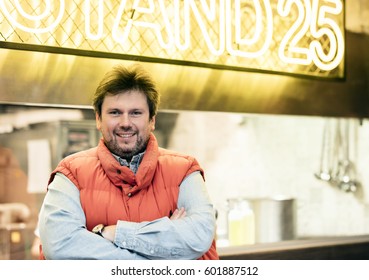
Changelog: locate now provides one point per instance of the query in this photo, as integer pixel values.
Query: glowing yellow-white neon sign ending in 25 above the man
(291, 36)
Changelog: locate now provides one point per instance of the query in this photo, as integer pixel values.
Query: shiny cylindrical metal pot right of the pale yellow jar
(275, 219)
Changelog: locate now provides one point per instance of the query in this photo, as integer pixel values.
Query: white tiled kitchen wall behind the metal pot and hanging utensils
(267, 155)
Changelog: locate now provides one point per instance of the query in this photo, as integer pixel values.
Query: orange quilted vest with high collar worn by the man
(120, 194)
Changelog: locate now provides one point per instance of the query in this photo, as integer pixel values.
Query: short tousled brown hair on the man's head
(121, 79)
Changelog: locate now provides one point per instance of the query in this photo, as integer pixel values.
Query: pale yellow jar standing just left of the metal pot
(241, 222)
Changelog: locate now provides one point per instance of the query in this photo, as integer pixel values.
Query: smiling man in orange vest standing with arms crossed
(127, 198)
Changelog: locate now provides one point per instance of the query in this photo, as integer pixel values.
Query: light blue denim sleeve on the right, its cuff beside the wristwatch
(186, 238)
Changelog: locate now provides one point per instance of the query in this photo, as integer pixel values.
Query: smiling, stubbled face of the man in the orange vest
(125, 123)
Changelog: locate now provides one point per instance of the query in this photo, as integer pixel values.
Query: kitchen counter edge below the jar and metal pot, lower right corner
(310, 248)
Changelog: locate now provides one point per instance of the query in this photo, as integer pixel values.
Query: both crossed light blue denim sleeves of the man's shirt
(63, 233)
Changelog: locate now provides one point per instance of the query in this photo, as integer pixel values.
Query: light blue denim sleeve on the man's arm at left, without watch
(62, 227)
